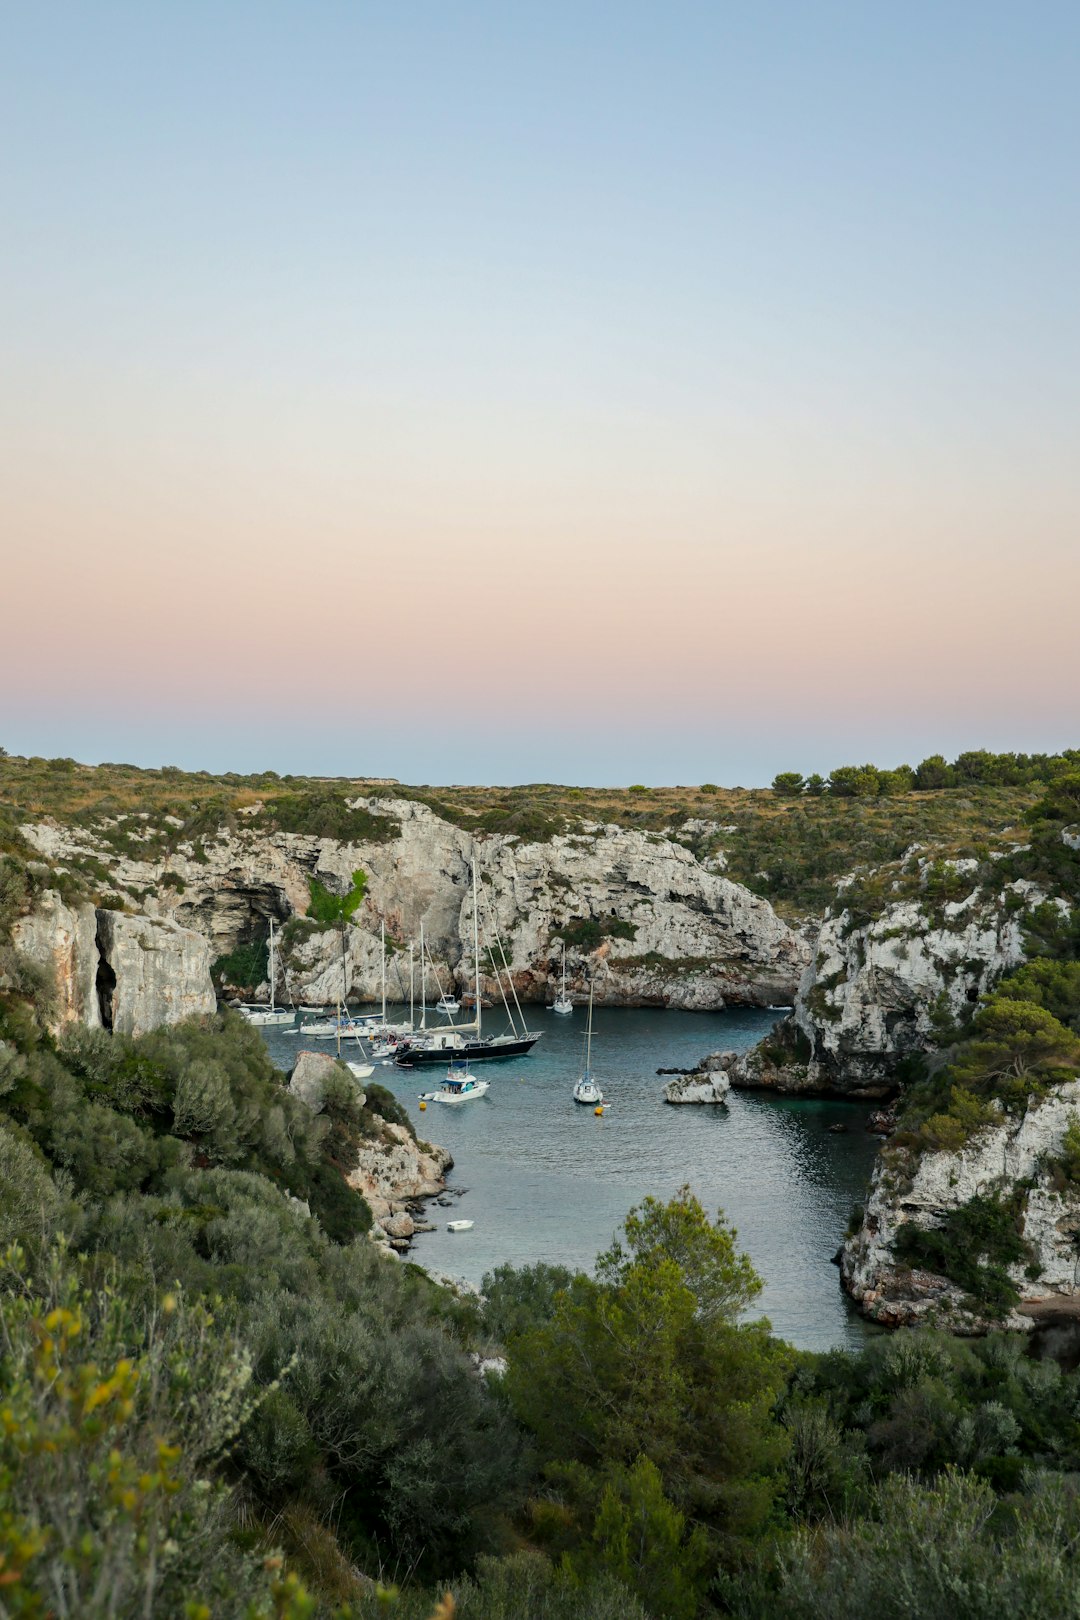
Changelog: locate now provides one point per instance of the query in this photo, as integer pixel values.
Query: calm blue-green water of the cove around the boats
(546, 1180)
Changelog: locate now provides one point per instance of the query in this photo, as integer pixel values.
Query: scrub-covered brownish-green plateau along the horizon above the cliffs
(789, 843)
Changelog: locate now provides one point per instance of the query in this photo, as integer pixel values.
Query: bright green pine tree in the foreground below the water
(650, 1362)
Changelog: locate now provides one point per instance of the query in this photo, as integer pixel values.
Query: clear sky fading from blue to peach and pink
(540, 393)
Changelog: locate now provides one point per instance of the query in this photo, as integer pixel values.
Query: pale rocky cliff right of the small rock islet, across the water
(870, 992)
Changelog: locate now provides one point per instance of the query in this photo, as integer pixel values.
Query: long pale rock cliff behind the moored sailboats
(674, 932)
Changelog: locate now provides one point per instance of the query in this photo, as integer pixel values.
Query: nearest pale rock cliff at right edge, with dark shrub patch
(1005, 1157)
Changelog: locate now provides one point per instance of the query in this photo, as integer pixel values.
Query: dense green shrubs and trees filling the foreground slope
(219, 1407)
